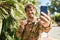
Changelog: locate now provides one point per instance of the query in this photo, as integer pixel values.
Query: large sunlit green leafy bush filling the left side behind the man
(11, 12)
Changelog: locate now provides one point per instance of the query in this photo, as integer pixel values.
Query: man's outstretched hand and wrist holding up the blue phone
(45, 21)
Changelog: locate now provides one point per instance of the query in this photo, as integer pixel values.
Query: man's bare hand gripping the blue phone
(45, 19)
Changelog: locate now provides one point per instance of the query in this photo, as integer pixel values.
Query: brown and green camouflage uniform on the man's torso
(31, 31)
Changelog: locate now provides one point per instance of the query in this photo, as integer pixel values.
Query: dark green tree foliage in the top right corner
(55, 6)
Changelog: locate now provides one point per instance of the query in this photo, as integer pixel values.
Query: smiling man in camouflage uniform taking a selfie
(31, 28)
